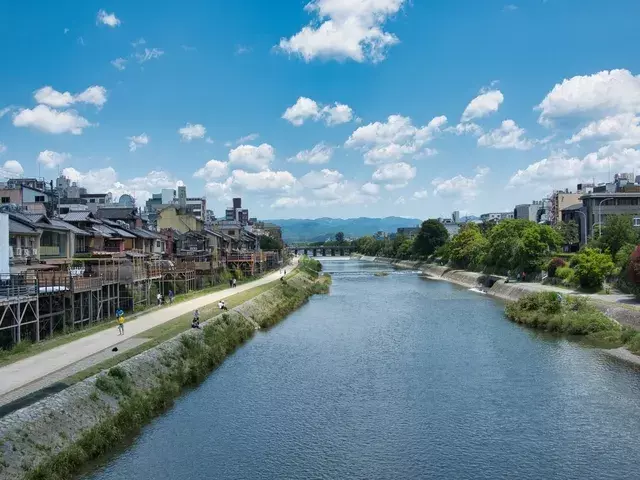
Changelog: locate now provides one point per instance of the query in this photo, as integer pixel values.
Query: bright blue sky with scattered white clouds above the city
(337, 108)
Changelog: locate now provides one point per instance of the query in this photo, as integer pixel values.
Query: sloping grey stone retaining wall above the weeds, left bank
(37, 433)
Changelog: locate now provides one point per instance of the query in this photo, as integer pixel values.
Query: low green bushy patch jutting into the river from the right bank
(570, 315)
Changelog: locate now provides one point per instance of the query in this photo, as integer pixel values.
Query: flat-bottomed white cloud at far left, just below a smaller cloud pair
(51, 121)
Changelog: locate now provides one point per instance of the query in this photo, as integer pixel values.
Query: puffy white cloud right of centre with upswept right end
(397, 137)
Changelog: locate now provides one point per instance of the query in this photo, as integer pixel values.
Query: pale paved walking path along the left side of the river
(31, 369)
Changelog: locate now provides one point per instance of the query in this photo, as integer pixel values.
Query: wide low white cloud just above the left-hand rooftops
(106, 180)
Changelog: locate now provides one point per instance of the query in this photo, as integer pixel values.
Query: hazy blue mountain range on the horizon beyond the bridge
(321, 229)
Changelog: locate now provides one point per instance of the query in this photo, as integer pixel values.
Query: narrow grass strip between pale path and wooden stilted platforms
(27, 349)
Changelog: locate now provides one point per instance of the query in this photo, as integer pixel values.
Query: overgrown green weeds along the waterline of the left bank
(199, 353)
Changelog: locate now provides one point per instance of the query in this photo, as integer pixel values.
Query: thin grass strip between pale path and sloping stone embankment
(168, 330)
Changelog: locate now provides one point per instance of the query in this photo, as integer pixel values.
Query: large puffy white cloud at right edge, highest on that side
(608, 92)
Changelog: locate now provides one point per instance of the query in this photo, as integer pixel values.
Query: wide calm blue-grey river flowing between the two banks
(397, 377)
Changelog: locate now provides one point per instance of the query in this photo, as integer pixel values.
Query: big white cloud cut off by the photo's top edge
(350, 29)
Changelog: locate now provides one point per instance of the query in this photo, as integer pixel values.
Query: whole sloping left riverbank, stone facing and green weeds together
(55, 437)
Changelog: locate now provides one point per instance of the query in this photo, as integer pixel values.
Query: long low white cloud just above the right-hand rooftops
(560, 169)
